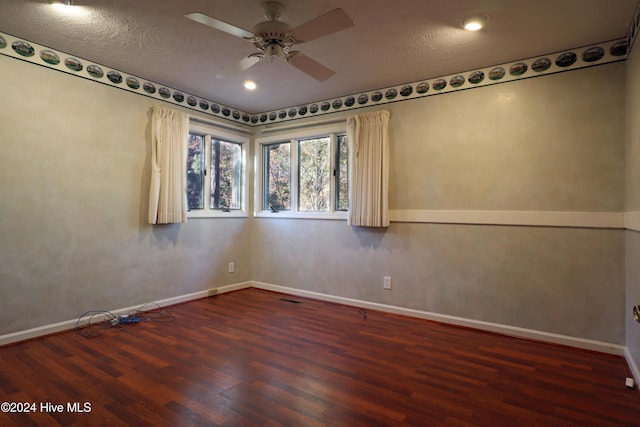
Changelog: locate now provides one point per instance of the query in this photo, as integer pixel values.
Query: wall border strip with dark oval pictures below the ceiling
(588, 56)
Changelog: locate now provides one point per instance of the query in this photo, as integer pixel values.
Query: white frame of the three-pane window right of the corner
(293, 137)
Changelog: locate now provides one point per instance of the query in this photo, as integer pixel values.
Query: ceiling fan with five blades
(275, 39)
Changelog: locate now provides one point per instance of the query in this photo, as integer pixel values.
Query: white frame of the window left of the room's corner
(211, 131)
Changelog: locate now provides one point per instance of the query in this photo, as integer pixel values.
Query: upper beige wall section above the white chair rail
(551, 143)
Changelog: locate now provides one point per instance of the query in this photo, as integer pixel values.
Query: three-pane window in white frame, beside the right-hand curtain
(304, 176)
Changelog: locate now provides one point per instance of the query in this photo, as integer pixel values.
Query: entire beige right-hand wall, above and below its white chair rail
(548, 144)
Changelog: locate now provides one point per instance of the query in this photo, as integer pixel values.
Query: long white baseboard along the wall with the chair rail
(514, 331)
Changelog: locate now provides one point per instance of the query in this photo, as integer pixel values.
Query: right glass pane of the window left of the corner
(226, 165)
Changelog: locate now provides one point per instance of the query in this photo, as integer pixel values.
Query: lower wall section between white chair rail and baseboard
(565, 281)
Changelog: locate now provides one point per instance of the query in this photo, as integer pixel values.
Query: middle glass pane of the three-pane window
(314, 174)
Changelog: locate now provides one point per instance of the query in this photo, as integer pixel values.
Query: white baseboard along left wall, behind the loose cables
(71, 324)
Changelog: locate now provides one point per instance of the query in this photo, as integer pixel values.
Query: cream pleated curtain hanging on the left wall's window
(169, 139)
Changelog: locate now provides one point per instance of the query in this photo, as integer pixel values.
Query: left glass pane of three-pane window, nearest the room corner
(277, 176)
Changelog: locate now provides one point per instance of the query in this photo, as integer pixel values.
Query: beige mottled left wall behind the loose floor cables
(74, 183)
